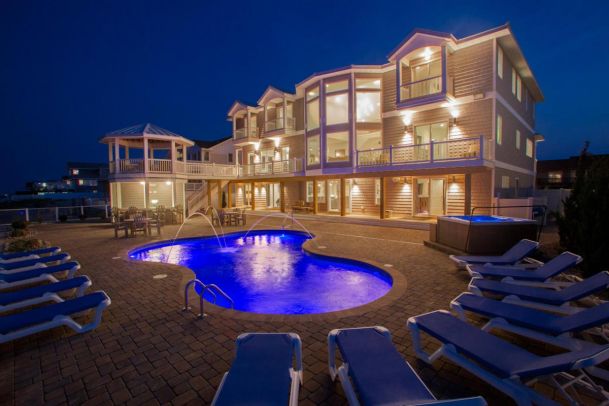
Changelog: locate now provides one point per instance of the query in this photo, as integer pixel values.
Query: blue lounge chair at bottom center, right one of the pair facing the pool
(379, 373)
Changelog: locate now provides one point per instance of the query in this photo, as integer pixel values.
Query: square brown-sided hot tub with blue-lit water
(482, 234)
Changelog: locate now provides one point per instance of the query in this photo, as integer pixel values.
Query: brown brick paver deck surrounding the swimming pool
(147, 351)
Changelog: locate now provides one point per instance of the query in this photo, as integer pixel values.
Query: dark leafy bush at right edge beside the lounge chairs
(584, 224)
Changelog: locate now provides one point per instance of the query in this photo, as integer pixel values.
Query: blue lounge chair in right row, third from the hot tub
(550, 298)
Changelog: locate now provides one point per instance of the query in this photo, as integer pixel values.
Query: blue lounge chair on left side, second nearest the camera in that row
(42, 293)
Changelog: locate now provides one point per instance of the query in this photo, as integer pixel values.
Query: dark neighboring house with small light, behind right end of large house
(560, 173)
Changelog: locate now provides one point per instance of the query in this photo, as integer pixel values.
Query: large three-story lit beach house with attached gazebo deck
(446, 125)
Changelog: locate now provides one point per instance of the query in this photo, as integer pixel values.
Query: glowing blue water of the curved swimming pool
(268, 272)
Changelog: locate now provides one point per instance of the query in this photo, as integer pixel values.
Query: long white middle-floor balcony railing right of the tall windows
(453, 150)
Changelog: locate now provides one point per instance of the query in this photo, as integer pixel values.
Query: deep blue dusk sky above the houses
(71, 71)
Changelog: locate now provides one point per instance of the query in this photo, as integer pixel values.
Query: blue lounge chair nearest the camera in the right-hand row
(503, 365)
